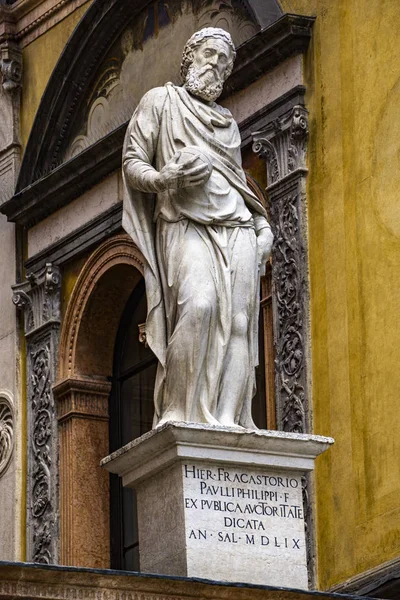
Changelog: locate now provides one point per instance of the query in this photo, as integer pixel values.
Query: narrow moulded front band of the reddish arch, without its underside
(118, 249)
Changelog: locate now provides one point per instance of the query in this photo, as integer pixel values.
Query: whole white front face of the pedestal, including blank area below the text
(251, 520)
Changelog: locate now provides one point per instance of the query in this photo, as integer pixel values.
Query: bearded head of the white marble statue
(207, 62)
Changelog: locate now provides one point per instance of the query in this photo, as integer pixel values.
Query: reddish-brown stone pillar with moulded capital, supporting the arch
(82, 406)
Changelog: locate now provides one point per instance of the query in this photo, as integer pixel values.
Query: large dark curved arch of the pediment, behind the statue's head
(75, 74)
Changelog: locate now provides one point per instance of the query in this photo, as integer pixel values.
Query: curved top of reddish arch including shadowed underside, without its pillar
(97, 300)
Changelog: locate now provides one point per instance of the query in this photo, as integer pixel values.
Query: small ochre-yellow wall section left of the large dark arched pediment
(39, 60)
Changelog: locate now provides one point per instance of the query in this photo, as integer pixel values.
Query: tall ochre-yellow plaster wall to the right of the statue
(352, 73)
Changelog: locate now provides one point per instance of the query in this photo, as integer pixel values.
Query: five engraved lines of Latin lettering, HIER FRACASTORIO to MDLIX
(260, 510)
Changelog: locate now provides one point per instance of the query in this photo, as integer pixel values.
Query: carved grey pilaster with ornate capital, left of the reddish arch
(39, 298)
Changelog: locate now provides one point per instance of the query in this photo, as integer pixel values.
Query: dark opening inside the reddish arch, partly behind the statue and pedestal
(131, 415)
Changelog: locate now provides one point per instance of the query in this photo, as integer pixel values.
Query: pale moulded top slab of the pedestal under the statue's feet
(156, 450)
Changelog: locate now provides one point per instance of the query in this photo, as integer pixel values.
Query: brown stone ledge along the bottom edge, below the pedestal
(21, 581)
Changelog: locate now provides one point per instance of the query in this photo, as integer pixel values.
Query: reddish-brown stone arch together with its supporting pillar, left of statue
(85, 364)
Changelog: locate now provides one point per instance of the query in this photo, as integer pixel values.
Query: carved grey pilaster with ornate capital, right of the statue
(283, 145)
